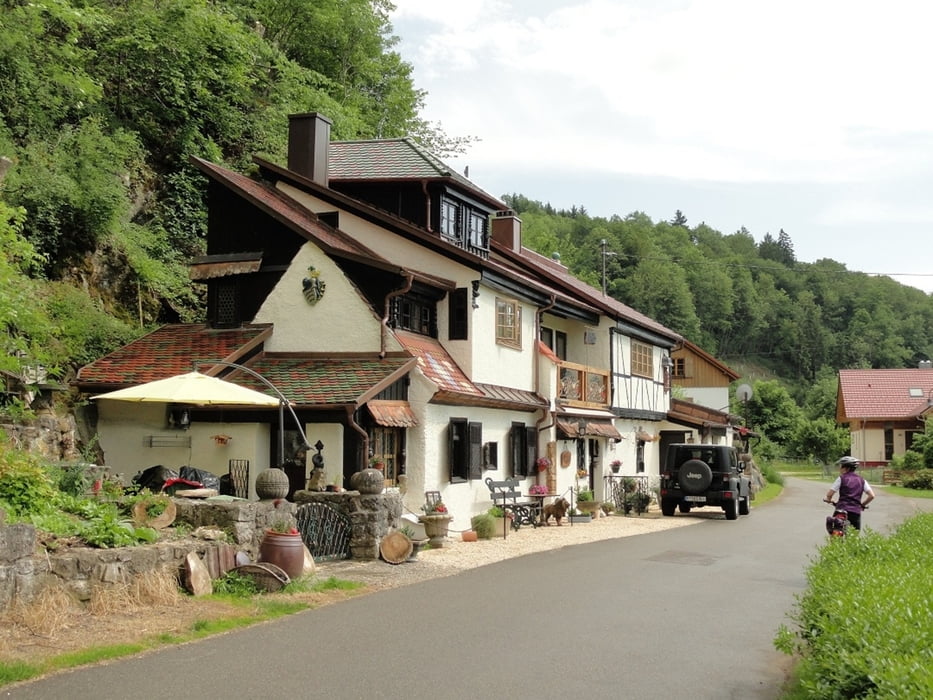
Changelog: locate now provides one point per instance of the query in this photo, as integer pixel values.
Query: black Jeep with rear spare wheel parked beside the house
(704, 475)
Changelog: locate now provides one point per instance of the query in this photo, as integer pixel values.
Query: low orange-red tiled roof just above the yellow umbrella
(168, 351)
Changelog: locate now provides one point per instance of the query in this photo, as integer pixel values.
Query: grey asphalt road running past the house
(685, 612)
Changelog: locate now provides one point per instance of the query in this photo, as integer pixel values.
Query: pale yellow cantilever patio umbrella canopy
(192, 388)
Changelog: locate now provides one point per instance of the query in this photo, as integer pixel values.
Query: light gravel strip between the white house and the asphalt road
(456, 555)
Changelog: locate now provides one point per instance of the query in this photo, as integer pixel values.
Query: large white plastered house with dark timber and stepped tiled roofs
(391, 301)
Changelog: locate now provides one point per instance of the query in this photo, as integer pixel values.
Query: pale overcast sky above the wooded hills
(812, 116)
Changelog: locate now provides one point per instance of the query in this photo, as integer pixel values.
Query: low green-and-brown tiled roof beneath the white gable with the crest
(318, 381)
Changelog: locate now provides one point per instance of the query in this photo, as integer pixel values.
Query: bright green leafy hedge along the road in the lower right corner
(864, 627)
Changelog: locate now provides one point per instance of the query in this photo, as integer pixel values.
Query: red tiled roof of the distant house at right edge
(883, 393)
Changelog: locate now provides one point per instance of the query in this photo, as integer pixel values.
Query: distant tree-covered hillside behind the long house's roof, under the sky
(741, 300)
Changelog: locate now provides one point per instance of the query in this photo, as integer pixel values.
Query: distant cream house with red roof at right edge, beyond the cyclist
(884, 409)
